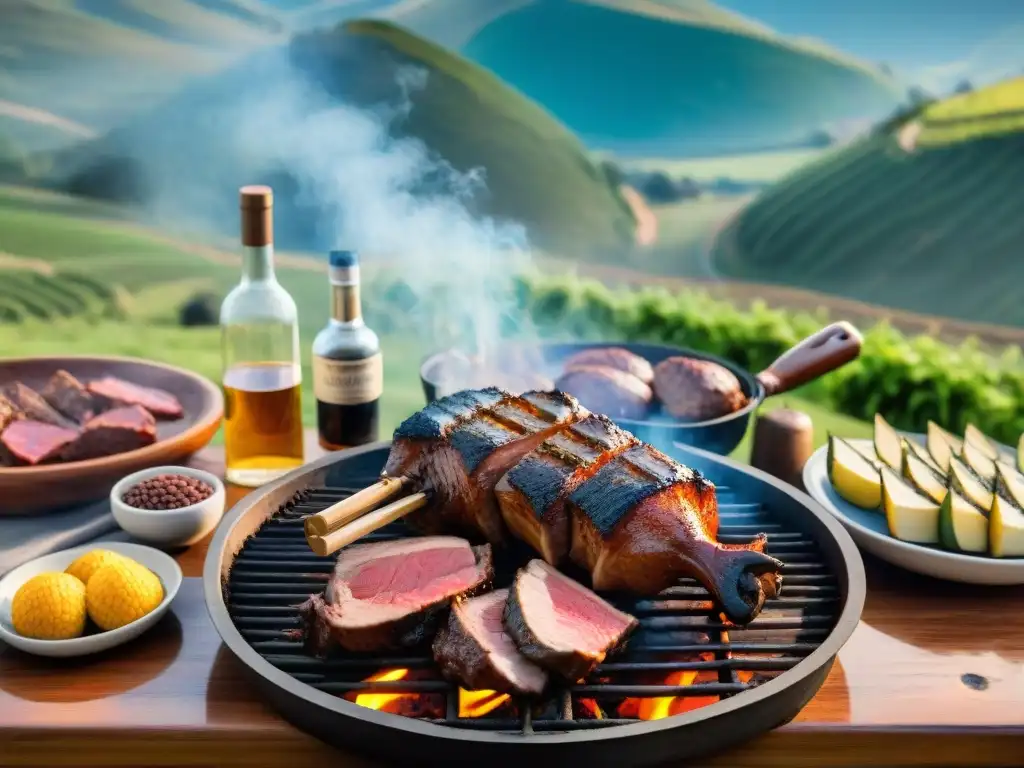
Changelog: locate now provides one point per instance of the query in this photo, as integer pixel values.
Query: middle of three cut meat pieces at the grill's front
(475, 651)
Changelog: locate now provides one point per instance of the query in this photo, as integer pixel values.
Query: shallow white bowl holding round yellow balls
(160, 564)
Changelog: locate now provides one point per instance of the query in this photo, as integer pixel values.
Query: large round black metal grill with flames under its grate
(689, 684)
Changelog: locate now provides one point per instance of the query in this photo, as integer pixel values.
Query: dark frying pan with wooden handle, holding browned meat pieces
(827, 351)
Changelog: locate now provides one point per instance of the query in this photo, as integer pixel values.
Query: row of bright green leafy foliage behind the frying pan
(908, 379)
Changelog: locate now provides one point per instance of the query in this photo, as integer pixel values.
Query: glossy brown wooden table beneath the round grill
(933, 676)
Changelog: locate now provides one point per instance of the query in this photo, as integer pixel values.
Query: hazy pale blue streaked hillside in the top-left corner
(99, 61)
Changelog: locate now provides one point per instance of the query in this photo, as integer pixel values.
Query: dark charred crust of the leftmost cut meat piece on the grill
(413, 630)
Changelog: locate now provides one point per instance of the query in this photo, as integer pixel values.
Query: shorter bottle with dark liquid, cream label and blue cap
(349, 367)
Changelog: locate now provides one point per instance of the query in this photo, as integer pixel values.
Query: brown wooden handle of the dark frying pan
(830, 349)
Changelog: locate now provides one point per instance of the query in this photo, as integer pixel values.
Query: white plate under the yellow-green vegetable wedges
(870, 531)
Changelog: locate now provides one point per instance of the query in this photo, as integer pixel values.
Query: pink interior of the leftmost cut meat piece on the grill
(414, 578)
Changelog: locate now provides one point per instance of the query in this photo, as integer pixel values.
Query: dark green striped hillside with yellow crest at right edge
(925, 217)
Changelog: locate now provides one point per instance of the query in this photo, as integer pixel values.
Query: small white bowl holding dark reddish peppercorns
(169, 528)
